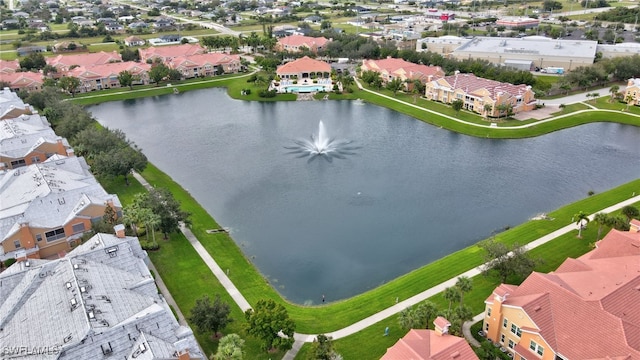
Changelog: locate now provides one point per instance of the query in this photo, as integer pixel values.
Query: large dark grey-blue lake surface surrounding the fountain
(410, 194)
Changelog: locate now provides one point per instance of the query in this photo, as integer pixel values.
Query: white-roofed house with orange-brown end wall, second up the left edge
(29, 139)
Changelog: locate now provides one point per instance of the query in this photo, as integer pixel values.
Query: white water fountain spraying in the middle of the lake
(322, 146)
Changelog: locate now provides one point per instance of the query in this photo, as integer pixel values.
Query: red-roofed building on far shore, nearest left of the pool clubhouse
(208, 64)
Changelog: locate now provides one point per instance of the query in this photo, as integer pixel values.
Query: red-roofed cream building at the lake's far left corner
(105, 76)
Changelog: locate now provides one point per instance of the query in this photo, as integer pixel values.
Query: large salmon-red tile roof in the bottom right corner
(588, 308)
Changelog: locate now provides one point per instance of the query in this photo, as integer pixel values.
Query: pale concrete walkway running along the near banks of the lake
(300, 339)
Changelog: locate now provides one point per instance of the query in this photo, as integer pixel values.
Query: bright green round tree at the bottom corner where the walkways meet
(268, 321)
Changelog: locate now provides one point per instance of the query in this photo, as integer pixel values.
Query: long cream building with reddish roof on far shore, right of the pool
(484, 96)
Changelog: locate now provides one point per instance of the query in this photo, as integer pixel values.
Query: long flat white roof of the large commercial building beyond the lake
(531, 45)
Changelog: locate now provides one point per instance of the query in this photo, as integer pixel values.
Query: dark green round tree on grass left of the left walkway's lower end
(210, 316)
